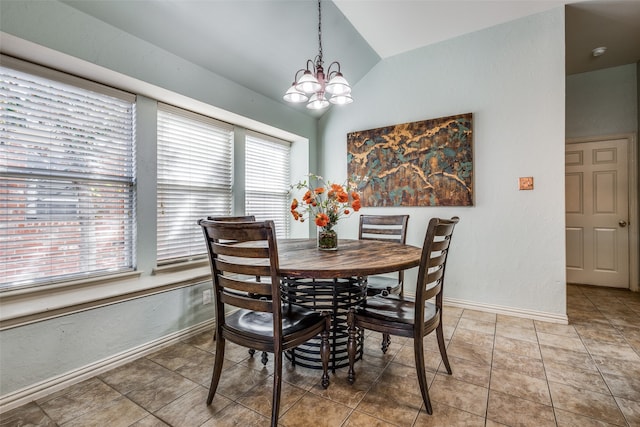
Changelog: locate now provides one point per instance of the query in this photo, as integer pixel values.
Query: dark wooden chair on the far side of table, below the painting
(389, 228)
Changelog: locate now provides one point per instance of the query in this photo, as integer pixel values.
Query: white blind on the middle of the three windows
(195, 159)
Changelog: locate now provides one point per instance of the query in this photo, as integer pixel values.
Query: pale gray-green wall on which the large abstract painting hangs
(508, 251)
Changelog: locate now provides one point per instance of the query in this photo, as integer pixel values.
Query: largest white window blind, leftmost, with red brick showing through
(67, 177)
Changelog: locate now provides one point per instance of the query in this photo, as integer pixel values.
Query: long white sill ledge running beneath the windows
(24, 306)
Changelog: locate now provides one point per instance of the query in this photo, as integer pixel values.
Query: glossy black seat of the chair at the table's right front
(394, 308)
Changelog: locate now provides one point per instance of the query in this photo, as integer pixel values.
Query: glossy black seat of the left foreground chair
(294, 319)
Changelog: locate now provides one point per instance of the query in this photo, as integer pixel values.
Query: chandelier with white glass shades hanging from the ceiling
(313, 85)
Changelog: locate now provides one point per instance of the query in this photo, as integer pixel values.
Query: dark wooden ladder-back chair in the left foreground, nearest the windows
(238, 252)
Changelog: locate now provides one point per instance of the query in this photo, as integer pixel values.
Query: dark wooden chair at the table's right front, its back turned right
(410, 317)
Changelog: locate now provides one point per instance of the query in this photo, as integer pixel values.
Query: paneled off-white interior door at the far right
(597, 213)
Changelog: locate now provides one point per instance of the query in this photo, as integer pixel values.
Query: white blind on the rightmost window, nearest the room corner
(267, 180)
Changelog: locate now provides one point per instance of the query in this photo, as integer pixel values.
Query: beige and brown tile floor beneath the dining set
(506, 371)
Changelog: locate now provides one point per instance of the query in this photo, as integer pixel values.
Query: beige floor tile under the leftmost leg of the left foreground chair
(191, 409)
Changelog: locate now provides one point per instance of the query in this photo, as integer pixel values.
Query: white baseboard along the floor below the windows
(51, 385)
